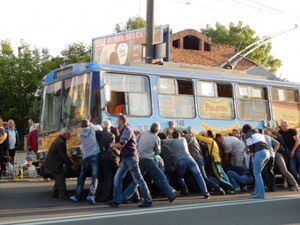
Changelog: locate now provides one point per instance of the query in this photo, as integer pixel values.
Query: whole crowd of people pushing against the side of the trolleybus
(175, 161)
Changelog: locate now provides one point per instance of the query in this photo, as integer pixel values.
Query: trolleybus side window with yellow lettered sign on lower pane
(215, 100)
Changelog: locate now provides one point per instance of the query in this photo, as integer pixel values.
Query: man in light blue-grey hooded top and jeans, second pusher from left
(90, 154)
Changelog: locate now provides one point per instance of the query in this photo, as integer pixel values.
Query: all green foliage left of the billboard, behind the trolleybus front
(21, 76)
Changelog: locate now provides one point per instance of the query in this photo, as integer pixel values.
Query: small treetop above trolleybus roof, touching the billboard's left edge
(76, 53)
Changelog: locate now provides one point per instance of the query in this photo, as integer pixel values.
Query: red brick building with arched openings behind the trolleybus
(193, 47)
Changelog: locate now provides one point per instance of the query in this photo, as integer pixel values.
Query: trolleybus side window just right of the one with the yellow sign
(252, 103)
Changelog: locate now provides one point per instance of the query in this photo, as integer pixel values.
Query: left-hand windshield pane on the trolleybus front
(51, 107)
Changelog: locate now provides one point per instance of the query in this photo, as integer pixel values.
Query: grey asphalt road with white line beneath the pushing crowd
(29, 202)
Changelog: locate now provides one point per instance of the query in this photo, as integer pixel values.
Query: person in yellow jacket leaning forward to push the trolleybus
(215, 167)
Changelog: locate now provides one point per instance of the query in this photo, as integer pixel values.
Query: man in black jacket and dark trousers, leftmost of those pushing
(56, 157)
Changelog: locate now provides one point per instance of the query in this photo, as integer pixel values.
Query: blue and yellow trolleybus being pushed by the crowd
(202, 97)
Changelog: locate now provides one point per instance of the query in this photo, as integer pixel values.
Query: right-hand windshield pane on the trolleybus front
(75, 99)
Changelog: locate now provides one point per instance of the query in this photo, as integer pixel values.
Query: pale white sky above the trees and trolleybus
(54, 24)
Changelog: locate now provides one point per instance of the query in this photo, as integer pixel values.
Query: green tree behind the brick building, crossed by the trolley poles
(242, 36)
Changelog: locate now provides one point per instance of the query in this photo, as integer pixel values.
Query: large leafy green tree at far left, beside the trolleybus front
(20, 77)
